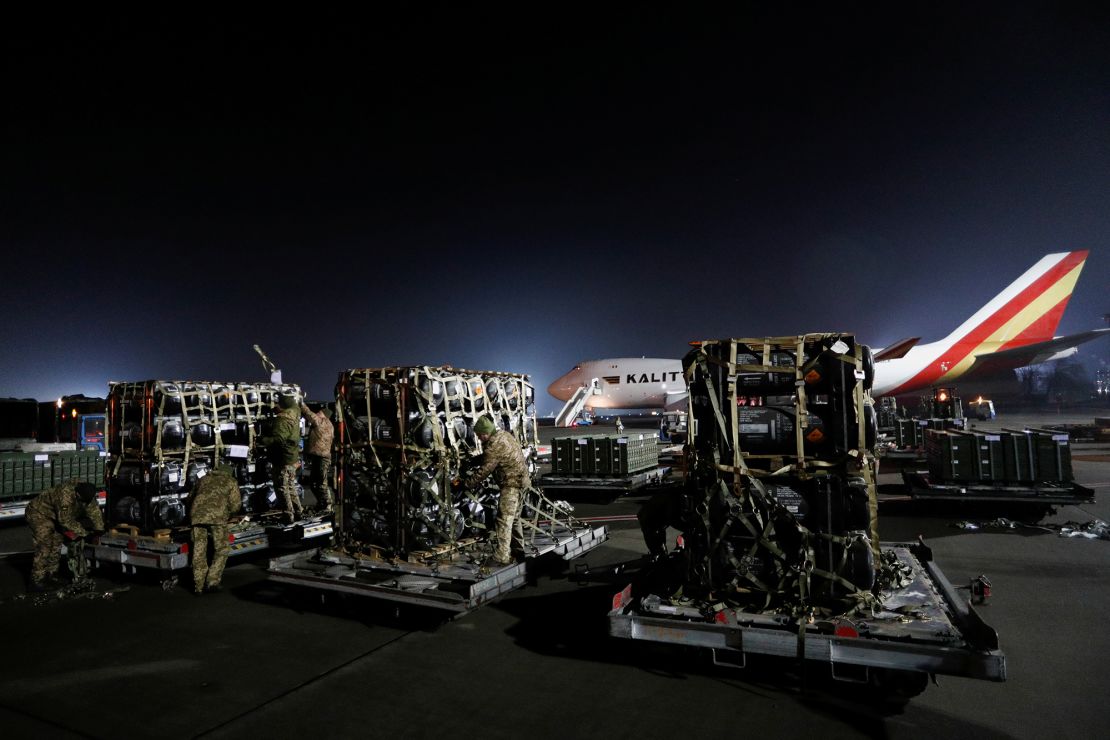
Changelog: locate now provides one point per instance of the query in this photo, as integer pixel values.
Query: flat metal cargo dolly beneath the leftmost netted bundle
(162, 553)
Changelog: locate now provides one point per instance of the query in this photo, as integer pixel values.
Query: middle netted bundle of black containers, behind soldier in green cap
(406, 443)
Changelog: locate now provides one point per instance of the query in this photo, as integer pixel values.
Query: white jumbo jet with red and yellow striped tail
(1014, 330)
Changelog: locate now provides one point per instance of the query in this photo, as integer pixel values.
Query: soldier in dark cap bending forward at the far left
(59, 515)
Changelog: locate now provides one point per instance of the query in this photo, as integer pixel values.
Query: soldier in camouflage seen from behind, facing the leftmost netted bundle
(216, 500)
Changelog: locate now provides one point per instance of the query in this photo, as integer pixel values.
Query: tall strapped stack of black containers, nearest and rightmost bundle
(779, 510)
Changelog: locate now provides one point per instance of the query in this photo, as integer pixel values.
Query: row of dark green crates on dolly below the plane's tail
(1008, 457)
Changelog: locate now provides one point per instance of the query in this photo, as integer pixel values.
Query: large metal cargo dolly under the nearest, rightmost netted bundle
(945, 635)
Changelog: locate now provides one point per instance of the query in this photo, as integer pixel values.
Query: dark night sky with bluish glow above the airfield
(501, 188)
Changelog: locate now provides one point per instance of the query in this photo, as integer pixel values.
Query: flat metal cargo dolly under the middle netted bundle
(449, 580)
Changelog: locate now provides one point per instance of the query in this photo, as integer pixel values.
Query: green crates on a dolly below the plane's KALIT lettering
(604, 455)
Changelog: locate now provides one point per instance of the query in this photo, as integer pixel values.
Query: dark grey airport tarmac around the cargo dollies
(261, 660)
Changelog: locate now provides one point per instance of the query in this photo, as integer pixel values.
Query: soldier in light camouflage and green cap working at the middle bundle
(506, 460)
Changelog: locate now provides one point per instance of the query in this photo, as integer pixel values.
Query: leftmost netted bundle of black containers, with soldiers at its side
(166, 435)
